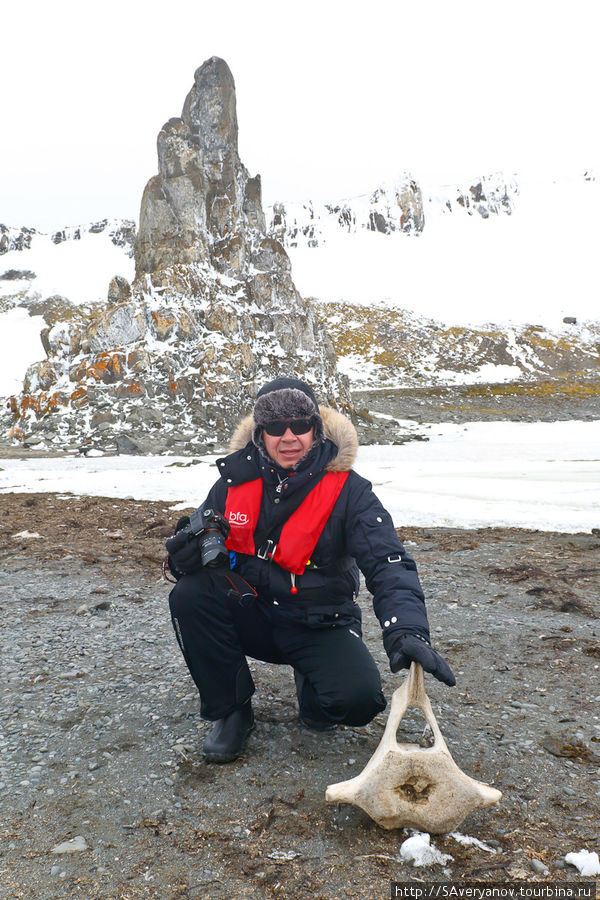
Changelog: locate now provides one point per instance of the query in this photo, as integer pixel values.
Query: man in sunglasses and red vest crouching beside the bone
(289, 526)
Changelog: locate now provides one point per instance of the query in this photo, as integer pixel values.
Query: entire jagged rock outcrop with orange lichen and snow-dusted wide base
(173, 358)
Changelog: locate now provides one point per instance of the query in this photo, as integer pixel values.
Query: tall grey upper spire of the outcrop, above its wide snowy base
(202, 204)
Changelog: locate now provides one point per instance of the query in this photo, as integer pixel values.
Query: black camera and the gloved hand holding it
(200, 542)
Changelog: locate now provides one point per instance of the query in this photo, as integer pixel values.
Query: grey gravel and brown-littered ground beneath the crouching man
(100, 734)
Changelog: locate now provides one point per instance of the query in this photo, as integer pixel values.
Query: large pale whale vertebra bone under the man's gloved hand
(412, 786)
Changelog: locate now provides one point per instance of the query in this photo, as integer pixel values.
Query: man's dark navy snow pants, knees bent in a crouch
(219, 621)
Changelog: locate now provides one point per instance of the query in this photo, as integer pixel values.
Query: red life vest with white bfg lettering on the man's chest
(300, 533)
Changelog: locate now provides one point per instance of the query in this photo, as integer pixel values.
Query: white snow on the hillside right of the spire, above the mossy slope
(527, 255)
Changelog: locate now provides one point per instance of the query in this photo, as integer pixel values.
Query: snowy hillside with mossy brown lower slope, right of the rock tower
(500, 282)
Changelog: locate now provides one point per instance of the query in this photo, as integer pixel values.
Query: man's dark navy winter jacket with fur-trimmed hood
(359, 534)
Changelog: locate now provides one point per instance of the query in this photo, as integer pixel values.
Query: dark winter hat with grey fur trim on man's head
(285, 398)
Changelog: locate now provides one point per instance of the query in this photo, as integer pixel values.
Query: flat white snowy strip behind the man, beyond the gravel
(542, 475)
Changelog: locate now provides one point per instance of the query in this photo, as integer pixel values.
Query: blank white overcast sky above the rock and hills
(333, 97)
